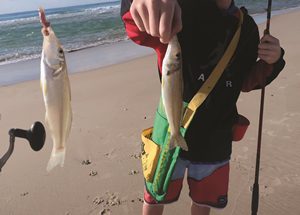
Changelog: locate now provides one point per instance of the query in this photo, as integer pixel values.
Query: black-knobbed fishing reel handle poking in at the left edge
(36, 136)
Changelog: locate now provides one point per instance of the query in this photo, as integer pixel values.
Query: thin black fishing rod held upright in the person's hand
(255, 192)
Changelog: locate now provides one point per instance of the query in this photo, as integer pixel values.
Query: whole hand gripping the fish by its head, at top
(160, 18)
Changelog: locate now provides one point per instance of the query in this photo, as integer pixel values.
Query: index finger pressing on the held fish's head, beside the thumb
(165, 25)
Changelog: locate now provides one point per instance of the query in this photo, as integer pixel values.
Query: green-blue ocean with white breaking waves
(80, 27)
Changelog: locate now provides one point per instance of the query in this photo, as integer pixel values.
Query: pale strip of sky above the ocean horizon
(11, 6)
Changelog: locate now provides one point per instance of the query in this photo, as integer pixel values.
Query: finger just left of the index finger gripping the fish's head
(154, 19)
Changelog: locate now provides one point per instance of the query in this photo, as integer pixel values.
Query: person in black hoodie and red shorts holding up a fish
(204, 30)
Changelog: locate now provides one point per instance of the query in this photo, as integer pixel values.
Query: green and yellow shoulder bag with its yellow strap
(158, 161)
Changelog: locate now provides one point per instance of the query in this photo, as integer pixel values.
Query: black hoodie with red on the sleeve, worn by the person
(206, 33)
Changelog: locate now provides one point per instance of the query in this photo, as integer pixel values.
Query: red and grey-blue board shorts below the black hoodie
(208, 184)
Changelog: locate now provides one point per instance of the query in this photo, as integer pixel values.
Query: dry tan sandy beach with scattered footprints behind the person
(111, 105)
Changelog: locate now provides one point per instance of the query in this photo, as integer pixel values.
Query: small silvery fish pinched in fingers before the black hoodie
(172, 92)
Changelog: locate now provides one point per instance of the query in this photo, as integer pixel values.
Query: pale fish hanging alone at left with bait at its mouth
(56, 91)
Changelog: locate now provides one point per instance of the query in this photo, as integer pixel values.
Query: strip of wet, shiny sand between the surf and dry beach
(83, 58)
